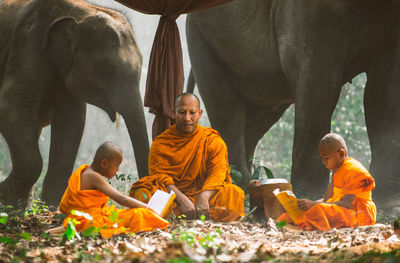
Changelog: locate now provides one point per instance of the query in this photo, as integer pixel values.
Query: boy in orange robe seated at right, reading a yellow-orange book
(348, 201)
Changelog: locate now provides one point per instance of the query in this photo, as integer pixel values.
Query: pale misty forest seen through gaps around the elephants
(273, 151)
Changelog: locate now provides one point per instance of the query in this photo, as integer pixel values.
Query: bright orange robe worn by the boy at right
(350, 179)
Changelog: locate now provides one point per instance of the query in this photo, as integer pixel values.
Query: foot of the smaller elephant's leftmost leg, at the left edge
(11, 193)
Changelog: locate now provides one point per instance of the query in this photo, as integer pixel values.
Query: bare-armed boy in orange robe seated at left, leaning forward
(88, 191)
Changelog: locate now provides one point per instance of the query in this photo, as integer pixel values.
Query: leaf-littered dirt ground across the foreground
(199, 241)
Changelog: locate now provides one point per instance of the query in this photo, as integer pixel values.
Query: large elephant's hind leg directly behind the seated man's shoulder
(217, 85)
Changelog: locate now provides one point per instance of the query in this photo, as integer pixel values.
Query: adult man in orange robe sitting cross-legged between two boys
(192, 161)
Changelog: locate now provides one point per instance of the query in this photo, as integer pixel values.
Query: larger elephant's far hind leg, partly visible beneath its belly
(258, 122)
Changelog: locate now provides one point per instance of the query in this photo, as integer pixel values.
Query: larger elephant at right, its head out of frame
(252, 59)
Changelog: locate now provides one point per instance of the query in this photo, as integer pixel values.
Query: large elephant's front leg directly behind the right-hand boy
(313, 113)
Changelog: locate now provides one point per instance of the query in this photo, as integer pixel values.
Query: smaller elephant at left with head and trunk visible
(55, 57)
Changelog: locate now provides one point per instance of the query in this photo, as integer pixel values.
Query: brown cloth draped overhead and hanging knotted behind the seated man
(165, 73)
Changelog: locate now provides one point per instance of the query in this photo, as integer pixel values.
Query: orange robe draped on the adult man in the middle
(193, 163)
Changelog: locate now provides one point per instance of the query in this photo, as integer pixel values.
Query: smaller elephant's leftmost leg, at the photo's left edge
(27, 163)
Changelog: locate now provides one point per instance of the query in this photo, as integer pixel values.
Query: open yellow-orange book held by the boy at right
(289, 202)
